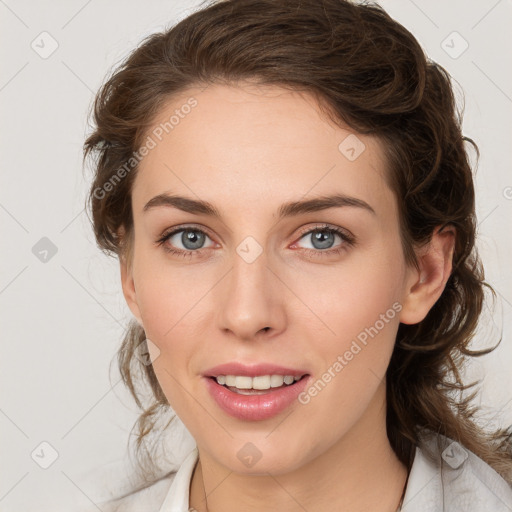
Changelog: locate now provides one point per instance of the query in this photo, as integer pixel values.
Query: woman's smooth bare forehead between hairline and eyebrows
(243, 143)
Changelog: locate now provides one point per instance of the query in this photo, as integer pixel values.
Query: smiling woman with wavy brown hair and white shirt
(287, 189)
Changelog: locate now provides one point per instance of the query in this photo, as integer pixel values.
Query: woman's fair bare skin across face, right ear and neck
(247, 149)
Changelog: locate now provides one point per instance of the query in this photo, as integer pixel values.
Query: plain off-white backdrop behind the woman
(61, 307)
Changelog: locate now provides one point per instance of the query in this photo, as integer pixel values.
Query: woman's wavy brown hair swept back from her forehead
(367, 71)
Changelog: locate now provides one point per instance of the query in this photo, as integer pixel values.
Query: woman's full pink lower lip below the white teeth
(255, 407)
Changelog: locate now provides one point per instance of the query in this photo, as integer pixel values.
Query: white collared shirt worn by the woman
(456, 480)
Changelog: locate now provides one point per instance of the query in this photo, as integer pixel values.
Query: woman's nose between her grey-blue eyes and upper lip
(250, 300)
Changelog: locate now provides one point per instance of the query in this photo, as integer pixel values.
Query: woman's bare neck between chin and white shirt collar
(360, 472)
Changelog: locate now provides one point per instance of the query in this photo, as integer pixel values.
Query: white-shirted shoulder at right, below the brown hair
(447, 476)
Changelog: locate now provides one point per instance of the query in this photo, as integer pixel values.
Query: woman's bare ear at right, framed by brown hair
(425, 286)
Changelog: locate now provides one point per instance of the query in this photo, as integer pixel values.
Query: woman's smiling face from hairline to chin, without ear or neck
(260, 286)
